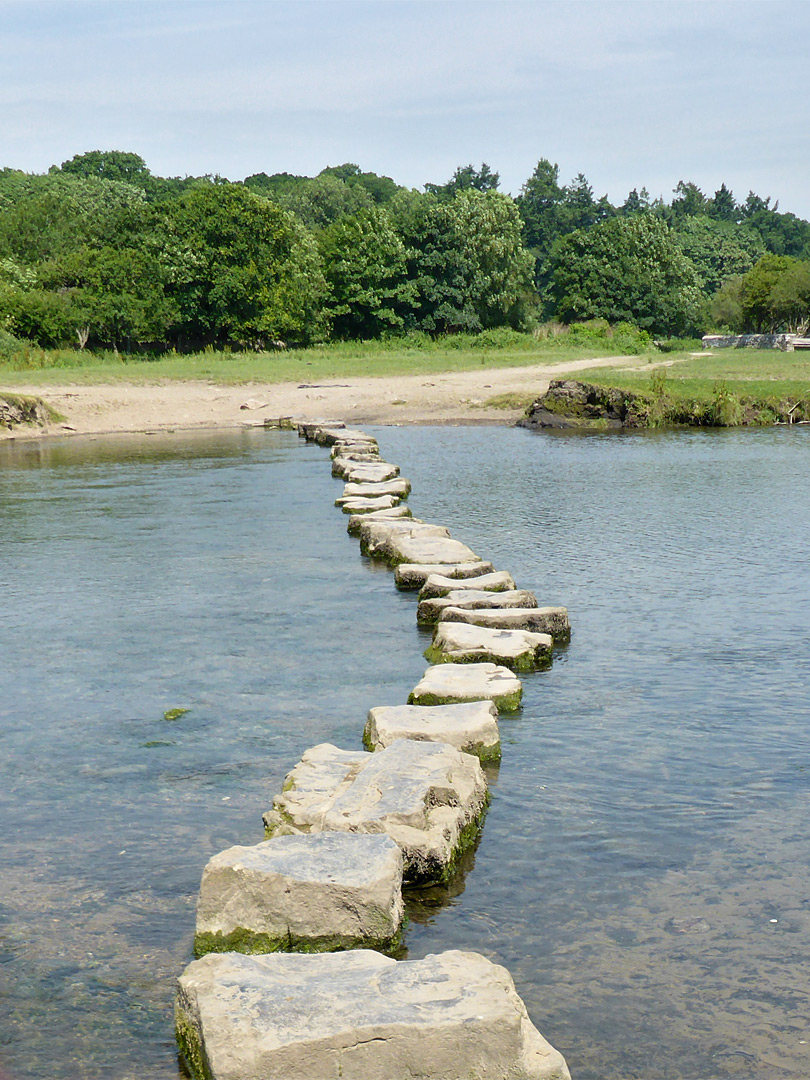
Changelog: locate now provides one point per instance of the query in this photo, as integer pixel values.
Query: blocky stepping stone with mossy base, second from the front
(303, 894)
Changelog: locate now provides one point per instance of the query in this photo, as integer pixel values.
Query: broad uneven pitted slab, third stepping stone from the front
(429, 798)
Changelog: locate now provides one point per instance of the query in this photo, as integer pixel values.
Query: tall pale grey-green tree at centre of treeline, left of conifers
(469, 266)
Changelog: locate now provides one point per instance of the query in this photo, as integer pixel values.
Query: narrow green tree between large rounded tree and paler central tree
(366, 266)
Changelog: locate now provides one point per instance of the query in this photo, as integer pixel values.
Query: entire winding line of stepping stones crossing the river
(296, 937)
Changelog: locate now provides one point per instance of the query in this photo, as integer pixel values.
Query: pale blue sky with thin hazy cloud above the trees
(631, 93)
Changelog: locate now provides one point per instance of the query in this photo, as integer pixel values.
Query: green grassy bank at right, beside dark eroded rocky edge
(730, 387)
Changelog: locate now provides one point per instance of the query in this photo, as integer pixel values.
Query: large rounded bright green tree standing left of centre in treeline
(240, 268)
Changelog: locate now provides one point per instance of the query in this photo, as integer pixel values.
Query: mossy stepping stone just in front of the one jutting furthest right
(463, 644)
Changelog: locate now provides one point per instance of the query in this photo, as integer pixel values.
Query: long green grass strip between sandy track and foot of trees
(330, 362)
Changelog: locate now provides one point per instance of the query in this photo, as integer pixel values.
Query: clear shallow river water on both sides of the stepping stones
(650, 818)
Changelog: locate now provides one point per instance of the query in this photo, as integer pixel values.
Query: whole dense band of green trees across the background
(101, 253)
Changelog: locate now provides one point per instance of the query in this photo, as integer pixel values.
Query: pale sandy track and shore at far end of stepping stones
(452, 398)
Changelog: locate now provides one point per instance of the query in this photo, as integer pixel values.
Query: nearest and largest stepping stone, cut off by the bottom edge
(358, 1016)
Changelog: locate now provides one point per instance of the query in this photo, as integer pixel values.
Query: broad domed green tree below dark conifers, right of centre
(627, 269)
